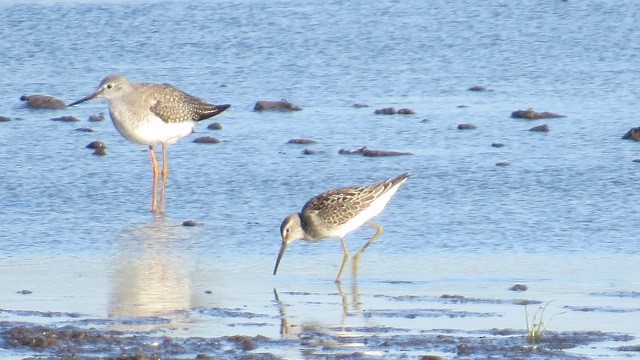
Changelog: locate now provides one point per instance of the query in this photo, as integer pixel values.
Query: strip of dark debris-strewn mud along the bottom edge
(72, 342)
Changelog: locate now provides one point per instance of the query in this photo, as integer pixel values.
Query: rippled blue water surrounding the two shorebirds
(562, 216)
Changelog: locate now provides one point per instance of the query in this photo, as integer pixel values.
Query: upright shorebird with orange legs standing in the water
(152, 114)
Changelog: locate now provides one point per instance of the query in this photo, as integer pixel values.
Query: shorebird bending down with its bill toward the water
(338, 212)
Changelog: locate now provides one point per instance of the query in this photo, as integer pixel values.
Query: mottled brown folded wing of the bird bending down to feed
(336, 207)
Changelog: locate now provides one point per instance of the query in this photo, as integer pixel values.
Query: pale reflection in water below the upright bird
(151, 286)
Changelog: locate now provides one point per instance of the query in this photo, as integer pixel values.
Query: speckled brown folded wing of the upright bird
(173, 105)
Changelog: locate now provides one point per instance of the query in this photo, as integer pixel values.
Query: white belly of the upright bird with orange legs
(151, 130)
